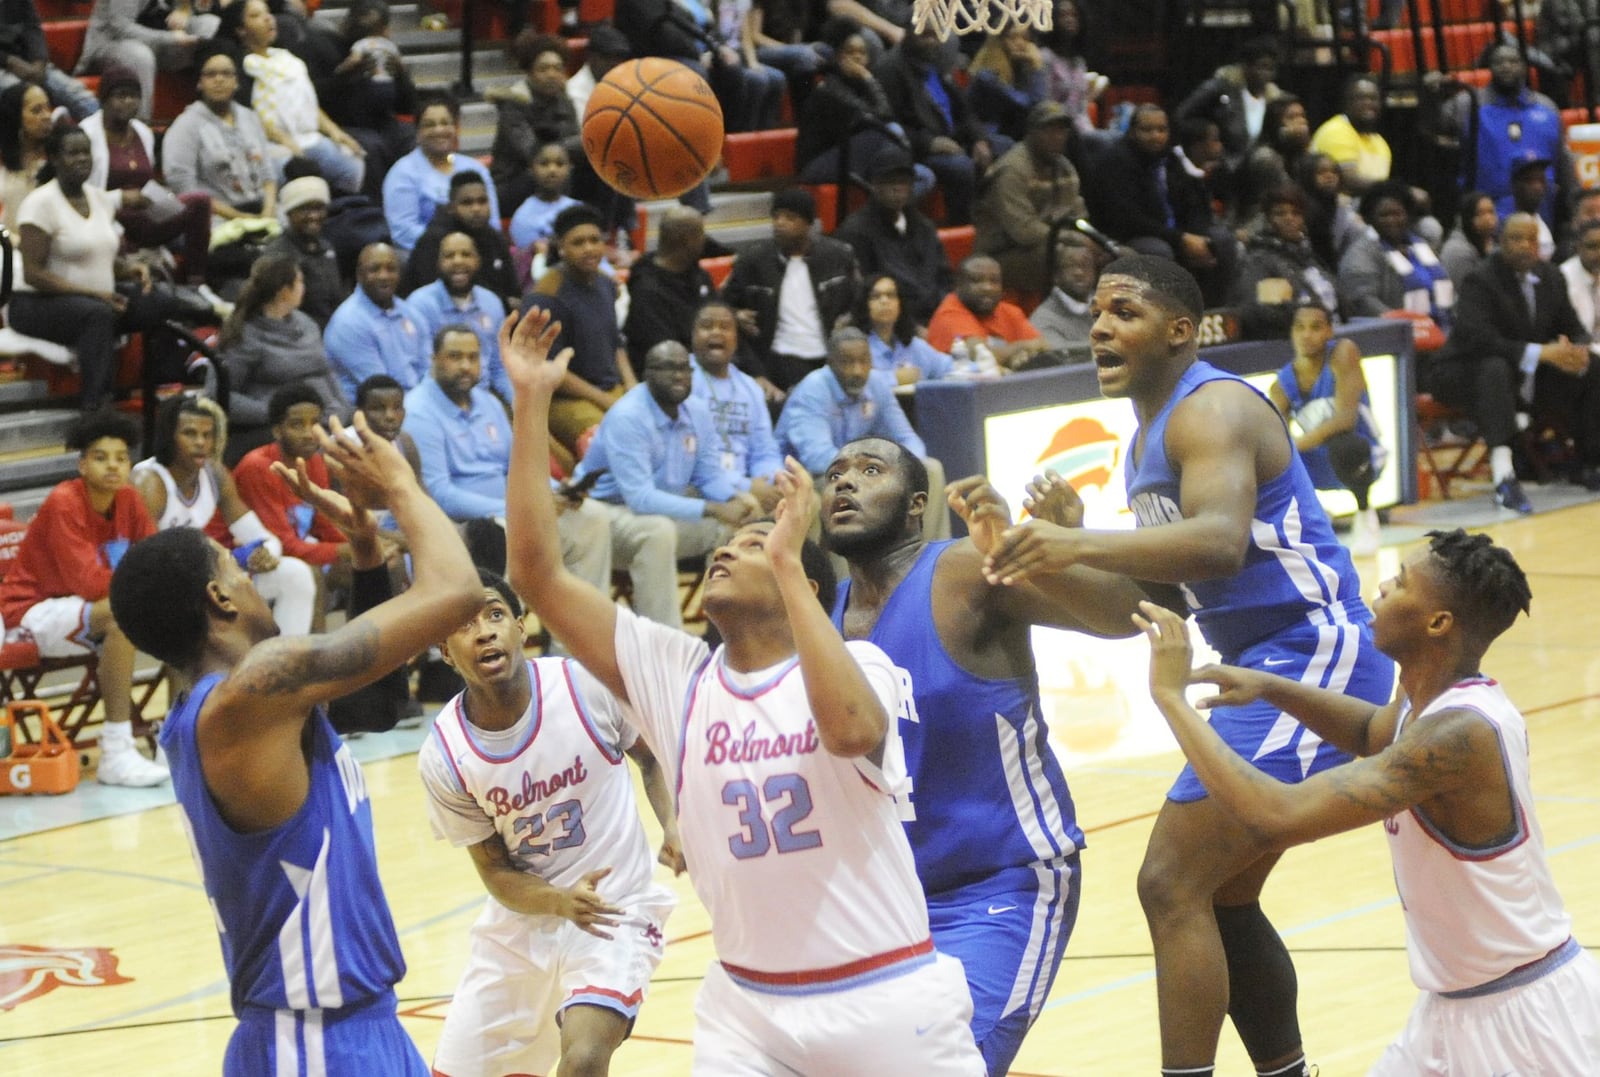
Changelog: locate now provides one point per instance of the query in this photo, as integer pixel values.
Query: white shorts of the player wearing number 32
(916, 1025)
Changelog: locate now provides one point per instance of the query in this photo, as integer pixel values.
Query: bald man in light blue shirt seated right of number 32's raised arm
(657, 449)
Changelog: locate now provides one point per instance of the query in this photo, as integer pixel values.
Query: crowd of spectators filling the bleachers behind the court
(362, 255)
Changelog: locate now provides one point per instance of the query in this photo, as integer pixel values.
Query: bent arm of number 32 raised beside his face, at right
(850, 718)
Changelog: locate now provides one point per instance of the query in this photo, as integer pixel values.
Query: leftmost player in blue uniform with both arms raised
(273, 801)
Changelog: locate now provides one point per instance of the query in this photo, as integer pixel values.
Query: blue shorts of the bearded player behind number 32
(1010, 935)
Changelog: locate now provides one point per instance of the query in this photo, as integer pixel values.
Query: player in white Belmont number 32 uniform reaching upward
(785, 755)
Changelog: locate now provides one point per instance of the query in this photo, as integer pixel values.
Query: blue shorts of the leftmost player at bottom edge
(353, 1043)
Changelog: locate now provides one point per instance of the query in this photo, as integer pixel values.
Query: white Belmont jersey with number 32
(798, 855)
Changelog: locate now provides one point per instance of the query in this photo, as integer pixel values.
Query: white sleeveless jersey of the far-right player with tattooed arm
(1476, 915)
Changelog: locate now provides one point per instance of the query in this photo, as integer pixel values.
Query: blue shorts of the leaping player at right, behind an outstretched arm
(1335, 657)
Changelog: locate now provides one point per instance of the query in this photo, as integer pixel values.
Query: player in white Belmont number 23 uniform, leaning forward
(526, 767)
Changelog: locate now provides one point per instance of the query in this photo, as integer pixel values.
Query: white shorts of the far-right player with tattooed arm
(1546, 1028)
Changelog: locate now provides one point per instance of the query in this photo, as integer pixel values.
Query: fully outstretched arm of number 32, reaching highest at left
(578, 615)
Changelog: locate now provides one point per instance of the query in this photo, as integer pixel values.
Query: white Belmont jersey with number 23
(556, 787)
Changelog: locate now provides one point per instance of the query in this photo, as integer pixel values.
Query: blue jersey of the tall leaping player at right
(1295, 569)
